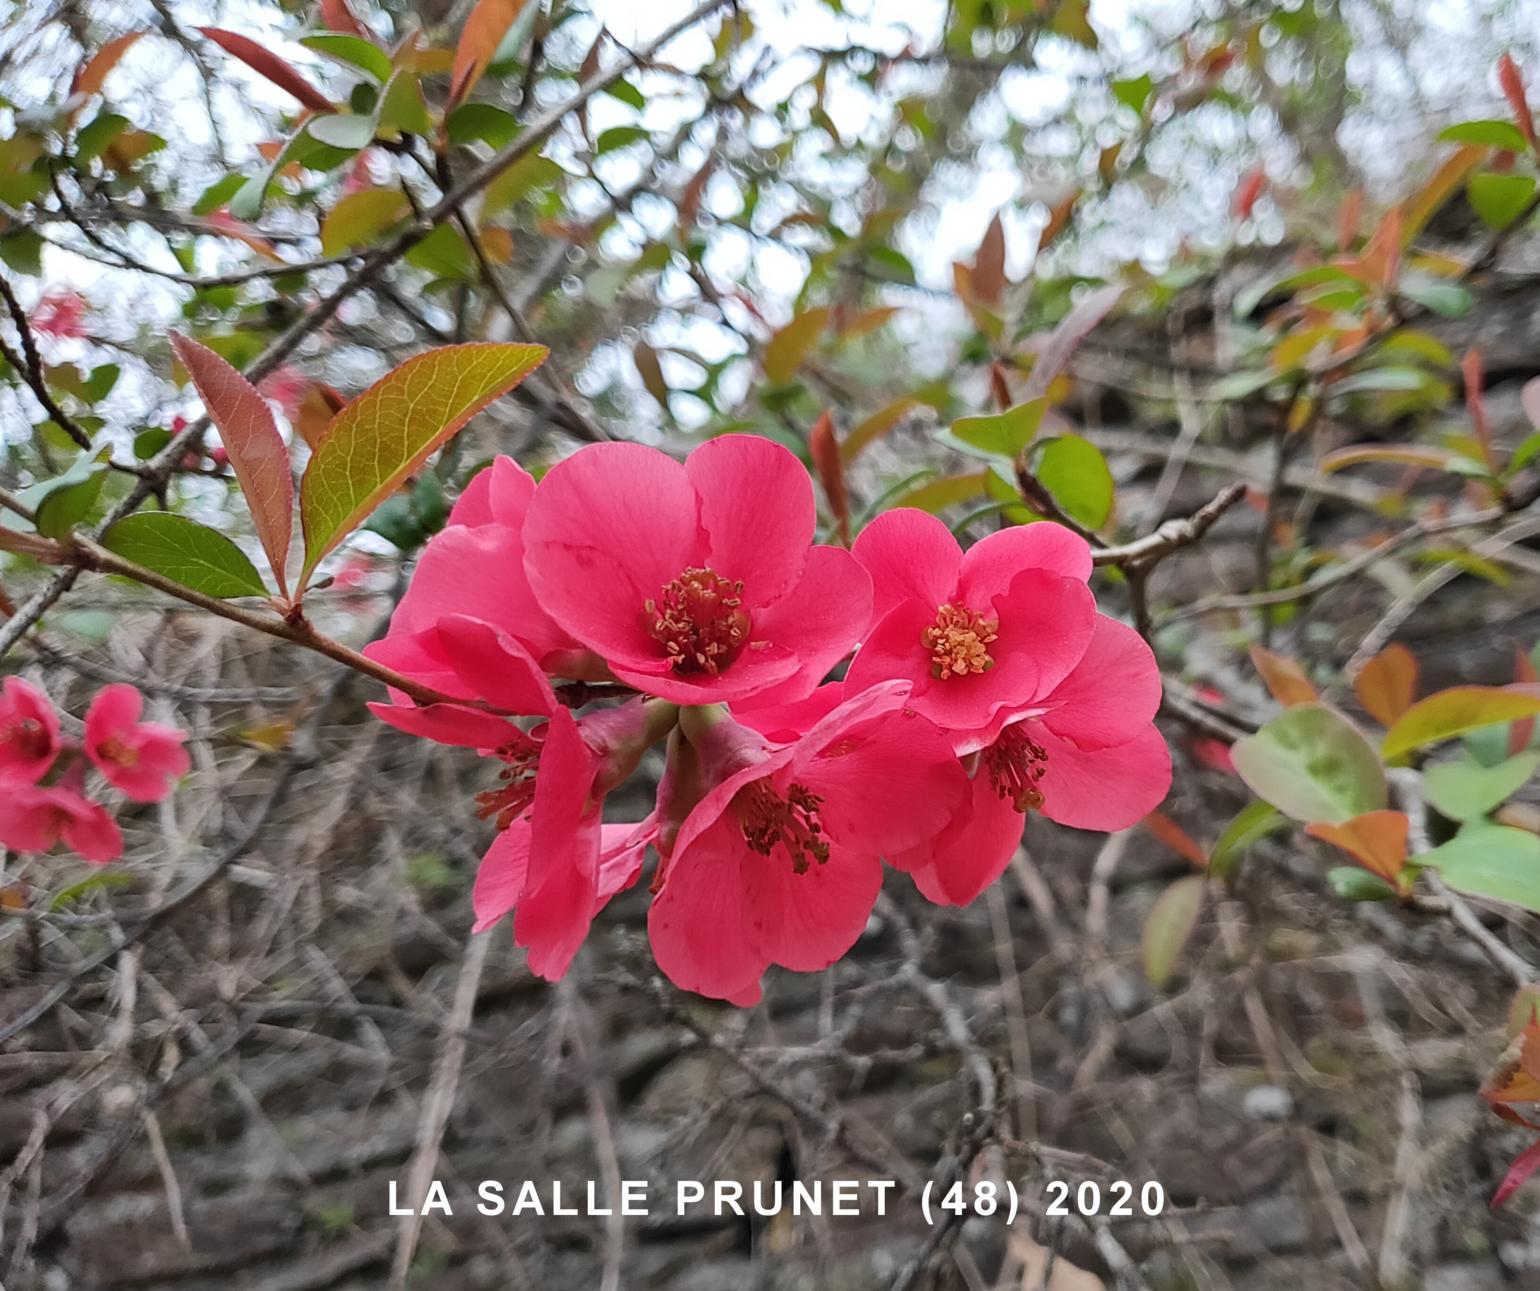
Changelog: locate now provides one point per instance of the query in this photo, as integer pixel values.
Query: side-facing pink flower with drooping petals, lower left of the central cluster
(554, 863)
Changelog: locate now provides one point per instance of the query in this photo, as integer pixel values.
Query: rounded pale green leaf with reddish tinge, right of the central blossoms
(1313, 765)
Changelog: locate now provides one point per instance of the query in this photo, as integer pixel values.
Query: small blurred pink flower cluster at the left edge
(141, 760)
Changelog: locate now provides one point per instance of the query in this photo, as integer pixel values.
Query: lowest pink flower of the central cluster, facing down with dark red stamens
(780, 859)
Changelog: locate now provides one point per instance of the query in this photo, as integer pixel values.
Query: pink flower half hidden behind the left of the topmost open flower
(475, 568)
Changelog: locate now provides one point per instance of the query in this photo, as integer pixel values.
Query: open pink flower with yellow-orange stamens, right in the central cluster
(982, 634)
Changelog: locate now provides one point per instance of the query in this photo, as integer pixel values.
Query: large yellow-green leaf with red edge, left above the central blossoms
(390, 431)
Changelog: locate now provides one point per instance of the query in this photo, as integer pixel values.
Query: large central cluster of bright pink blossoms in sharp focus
(983, 686)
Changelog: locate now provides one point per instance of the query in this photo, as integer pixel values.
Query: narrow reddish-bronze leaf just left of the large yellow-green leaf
(253, 443)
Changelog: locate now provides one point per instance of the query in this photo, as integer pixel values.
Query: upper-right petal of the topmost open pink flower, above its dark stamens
(757, 511)
